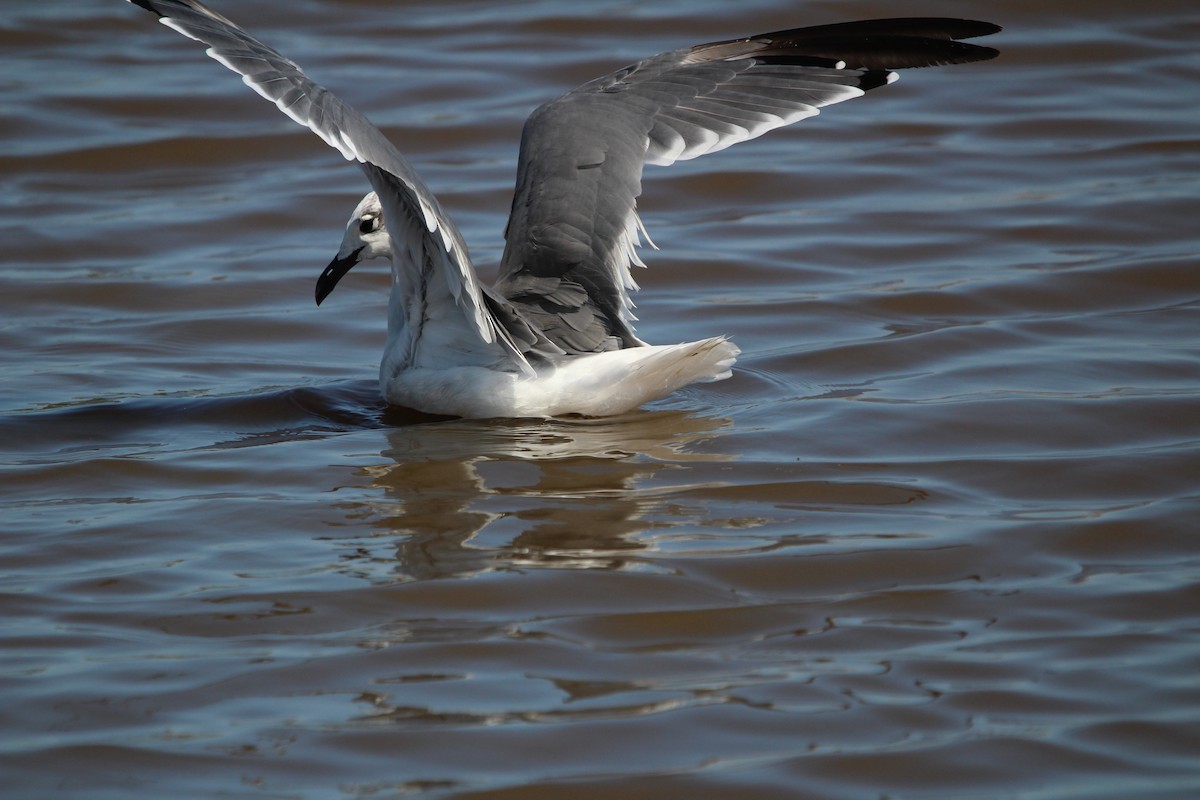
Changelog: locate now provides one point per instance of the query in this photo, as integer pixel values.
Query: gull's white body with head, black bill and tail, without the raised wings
(436, 362)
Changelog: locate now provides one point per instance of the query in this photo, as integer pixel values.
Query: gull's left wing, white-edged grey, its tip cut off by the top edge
(409, 204)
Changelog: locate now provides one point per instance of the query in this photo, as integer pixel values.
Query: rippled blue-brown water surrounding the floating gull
(935, 539)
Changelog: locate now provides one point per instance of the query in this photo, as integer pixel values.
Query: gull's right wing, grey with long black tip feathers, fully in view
(574, 225)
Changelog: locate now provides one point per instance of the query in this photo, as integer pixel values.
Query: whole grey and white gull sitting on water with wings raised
(555, 334)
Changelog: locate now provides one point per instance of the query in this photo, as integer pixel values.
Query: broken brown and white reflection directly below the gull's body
(559, 494)
